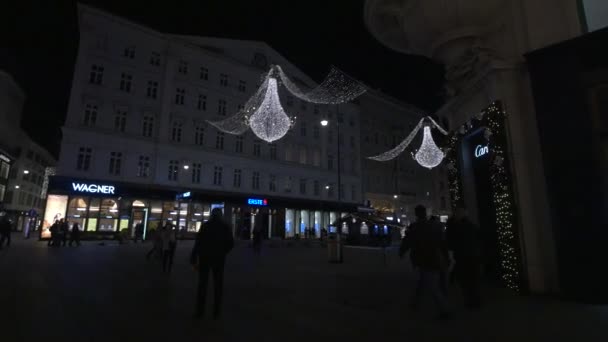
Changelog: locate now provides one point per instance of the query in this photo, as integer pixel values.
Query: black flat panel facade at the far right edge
(570, 86)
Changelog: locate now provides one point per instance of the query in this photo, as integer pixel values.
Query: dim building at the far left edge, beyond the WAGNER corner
(23, 162)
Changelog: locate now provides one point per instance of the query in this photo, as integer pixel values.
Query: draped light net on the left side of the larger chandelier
(239, 122)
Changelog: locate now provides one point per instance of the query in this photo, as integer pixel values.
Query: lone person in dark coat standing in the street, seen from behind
(213, 242)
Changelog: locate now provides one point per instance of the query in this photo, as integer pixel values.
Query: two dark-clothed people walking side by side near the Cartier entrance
(429, 245)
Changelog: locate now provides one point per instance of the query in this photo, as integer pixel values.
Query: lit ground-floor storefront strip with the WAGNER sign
(103, 208)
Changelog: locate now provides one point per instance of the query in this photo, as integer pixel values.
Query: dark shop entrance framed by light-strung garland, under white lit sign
(478, 163)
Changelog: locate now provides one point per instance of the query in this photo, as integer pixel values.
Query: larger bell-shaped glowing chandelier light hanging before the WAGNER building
(269, 122)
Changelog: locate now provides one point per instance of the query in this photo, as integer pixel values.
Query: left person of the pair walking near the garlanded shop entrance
(428, 252)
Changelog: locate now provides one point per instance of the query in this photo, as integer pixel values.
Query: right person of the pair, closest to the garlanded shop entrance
(465, 241)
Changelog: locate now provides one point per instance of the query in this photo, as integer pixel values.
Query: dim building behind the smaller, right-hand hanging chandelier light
(396, 187)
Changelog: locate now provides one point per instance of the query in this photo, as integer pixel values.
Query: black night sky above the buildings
(40, 46)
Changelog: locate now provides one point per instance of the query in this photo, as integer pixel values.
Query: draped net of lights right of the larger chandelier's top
(336, 88)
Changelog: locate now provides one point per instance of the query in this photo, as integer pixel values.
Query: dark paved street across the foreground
(110, 293)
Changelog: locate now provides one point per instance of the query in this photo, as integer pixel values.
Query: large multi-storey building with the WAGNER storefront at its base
(137, 119)
